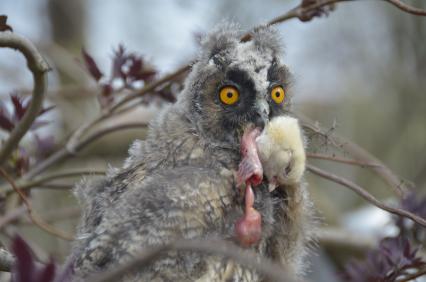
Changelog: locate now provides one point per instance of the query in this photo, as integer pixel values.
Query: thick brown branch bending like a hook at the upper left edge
(38, 66)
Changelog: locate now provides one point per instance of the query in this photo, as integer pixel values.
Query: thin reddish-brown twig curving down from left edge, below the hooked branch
(32, 214)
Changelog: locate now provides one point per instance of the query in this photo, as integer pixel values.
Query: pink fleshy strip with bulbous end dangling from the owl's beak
(248, 228)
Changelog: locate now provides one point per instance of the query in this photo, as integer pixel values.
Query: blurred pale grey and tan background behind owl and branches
(361, 72)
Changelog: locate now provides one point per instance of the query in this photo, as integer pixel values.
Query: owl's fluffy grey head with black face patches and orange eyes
(234, 84)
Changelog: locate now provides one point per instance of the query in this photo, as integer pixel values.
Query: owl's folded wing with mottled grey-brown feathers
(183, 202)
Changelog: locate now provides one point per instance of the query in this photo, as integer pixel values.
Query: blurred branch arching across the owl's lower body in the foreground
(248, 259)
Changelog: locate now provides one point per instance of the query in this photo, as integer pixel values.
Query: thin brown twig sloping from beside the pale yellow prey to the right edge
(367, 196)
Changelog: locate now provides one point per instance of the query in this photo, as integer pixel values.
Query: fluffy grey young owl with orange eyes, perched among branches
(182, 180)
